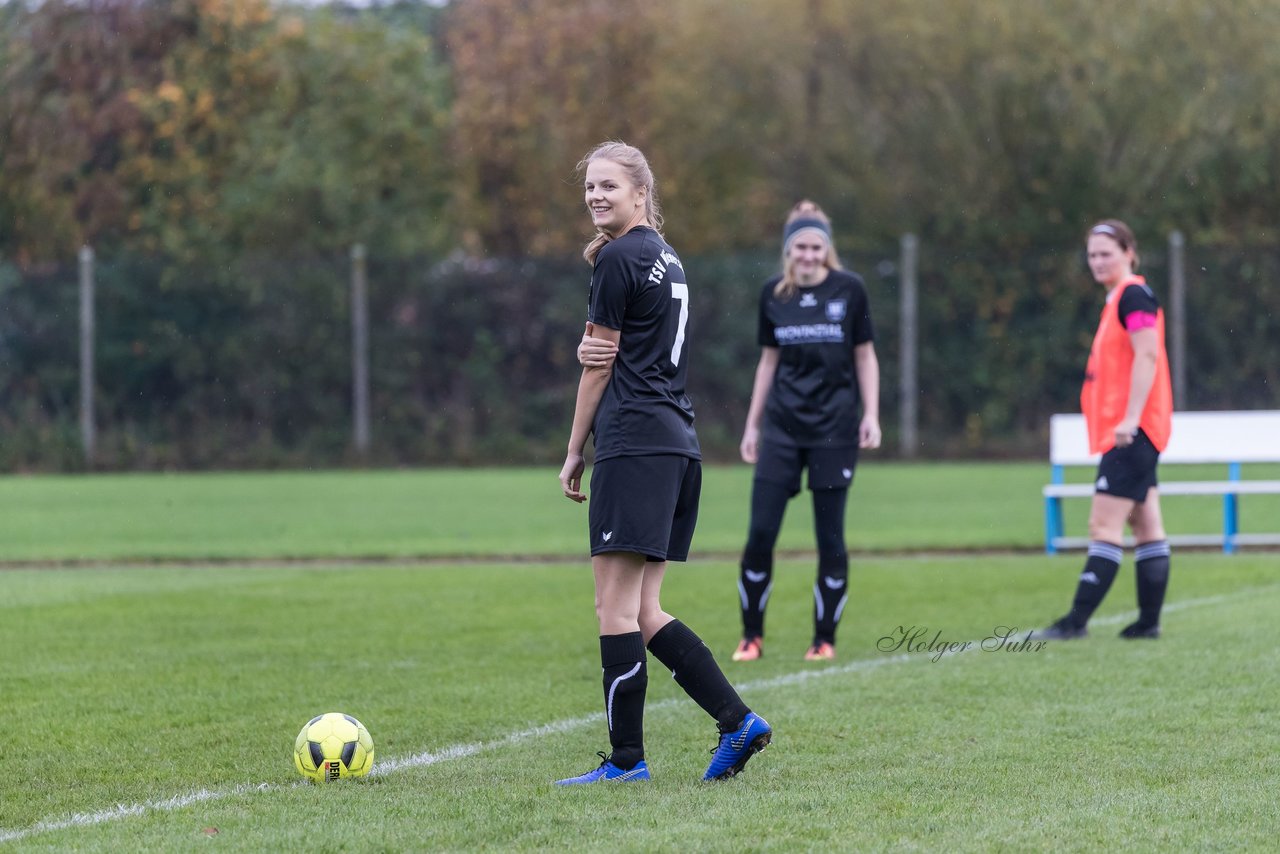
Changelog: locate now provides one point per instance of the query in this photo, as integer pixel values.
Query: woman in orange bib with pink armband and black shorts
(1128, 407)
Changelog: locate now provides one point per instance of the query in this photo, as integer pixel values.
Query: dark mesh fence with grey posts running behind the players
(472, 362)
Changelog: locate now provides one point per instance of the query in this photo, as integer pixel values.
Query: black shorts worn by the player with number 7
(646, 505)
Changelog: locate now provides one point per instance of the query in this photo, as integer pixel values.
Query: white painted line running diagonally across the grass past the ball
(555, 728)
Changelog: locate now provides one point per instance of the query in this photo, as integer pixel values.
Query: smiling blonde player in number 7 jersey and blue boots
(647, 477)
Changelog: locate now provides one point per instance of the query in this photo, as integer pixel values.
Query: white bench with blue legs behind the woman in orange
(1231, 439)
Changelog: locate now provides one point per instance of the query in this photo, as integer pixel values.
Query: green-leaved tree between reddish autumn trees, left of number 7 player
(350, 144)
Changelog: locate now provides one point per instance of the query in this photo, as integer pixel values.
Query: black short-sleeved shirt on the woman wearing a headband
(815, 398)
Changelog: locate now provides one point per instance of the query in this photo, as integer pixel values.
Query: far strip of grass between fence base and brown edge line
(520, 514)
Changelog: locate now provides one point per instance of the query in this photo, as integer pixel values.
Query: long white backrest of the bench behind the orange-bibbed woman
(1199, 437)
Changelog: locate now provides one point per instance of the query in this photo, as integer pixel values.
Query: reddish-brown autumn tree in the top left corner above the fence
(67, 118)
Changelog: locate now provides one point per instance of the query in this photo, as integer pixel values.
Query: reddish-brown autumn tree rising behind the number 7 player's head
(536, 86)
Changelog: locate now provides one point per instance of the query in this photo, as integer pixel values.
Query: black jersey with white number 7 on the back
(639, 287)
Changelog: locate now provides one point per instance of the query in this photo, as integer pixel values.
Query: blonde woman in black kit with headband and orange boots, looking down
(817, 366)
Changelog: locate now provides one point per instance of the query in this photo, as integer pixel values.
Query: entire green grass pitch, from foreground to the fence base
(153, 707)
